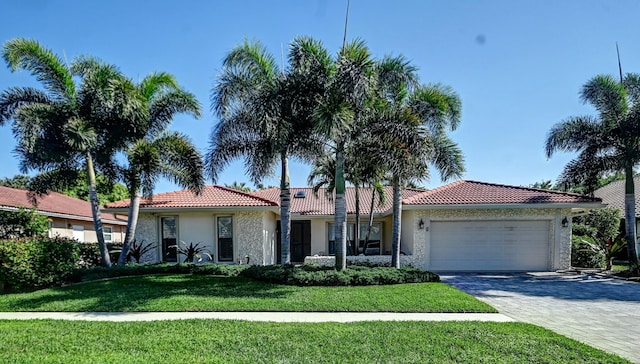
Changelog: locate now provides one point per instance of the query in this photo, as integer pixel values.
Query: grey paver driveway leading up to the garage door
(599, 311)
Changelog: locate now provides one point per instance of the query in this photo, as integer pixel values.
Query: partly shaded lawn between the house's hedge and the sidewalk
(180, 292)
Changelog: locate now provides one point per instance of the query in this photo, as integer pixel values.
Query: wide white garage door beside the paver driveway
(489, 245)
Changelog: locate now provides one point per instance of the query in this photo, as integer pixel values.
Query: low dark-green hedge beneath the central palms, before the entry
(310, 275)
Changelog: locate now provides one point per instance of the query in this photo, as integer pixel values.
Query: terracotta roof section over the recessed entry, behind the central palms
(323, 205)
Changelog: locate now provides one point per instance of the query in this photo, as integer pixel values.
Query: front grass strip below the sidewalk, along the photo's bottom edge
(212, 341)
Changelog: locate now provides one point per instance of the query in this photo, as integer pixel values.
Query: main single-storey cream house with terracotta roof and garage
(464, 226)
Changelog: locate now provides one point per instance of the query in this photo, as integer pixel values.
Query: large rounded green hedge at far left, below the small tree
(29, 264)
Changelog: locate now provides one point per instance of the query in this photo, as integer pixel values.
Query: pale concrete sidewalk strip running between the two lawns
(256, 316)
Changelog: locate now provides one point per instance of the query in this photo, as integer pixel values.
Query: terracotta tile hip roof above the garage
(479, 193)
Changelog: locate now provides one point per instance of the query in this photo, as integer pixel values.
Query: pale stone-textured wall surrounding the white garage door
(559, 237)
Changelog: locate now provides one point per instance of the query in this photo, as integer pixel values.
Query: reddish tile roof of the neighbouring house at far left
(53, 203)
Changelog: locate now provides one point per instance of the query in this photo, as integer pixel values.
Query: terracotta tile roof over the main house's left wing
(211, 196)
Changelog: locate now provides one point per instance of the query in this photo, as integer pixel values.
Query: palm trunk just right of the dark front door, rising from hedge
(340, 212)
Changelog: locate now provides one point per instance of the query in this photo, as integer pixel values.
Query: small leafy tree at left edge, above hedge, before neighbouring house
(23, 223)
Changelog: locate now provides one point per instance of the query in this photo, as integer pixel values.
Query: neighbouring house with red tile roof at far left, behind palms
(68, 216)
